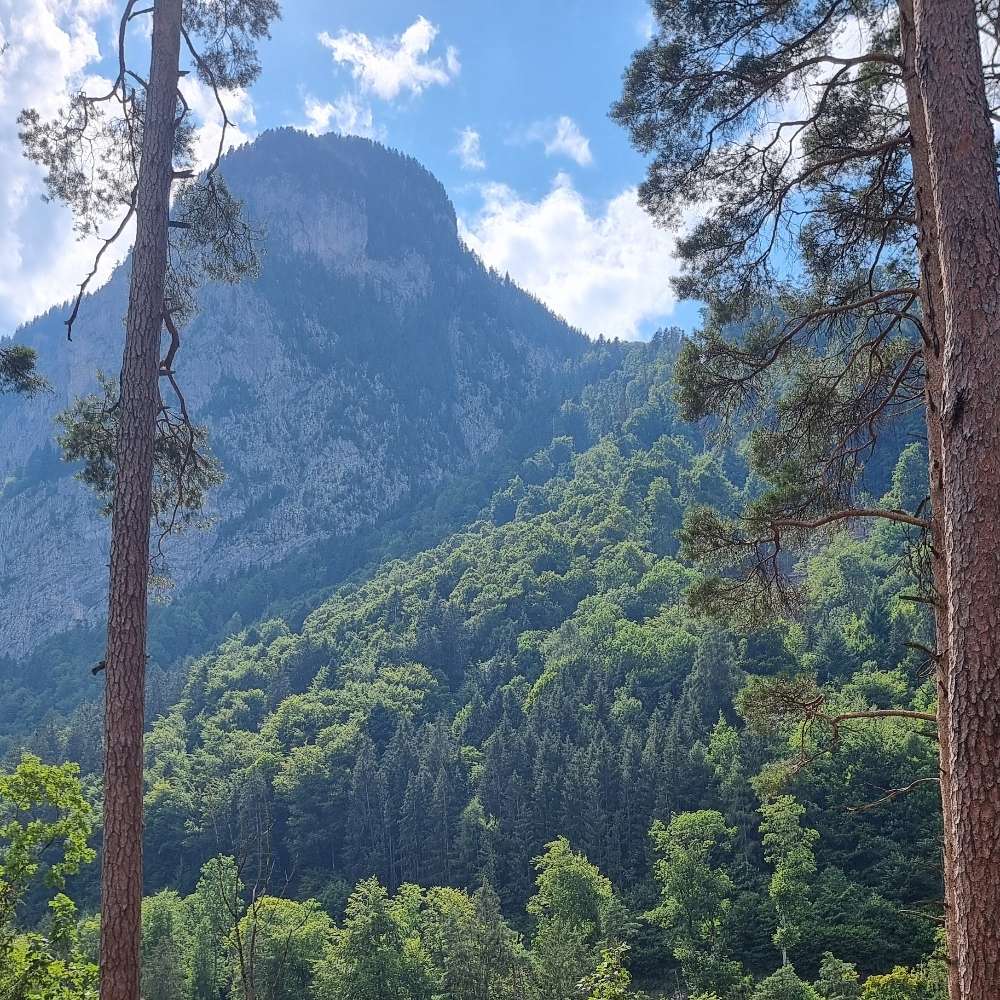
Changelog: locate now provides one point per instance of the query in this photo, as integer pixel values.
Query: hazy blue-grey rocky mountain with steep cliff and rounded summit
(372, 359)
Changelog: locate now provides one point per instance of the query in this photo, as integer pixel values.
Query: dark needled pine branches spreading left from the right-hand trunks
(811, 352)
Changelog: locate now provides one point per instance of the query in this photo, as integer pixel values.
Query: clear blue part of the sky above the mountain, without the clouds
(521, 63)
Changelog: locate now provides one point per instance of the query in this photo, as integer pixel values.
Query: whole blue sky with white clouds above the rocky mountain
(505, 102)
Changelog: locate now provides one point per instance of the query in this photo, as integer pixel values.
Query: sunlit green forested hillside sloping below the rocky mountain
(536, 676)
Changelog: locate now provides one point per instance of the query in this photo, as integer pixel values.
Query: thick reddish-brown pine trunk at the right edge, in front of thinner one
(967, 215)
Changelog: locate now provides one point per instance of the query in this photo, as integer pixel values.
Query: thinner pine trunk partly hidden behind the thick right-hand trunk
(932, 309)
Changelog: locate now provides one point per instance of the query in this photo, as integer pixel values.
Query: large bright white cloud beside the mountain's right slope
(607, 272)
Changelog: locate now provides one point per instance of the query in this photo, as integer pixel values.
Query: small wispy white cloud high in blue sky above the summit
(390, 67)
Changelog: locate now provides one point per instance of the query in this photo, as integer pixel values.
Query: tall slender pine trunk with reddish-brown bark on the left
(121, 867)
